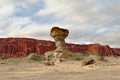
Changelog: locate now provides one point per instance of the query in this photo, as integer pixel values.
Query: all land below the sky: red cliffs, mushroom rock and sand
(64, 62)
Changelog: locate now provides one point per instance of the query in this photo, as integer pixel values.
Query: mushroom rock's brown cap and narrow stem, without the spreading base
(59, 36)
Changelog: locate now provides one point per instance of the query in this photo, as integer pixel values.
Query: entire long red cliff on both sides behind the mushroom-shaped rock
(21, 47)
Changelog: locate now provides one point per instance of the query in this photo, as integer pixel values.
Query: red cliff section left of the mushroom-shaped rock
(22, 47)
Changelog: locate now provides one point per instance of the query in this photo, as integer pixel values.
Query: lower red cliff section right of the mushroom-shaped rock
(103, 50)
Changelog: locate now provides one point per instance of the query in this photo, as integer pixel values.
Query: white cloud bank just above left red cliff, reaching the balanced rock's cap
(24, 27)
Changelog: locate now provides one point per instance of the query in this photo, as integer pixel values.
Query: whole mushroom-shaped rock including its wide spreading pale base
(61, 51)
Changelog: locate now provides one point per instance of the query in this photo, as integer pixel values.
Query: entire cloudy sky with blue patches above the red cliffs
(89, 21)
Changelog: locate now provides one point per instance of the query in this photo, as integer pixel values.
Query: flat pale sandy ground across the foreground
(22, 69)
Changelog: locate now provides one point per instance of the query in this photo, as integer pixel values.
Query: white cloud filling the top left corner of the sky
(8, 7)
